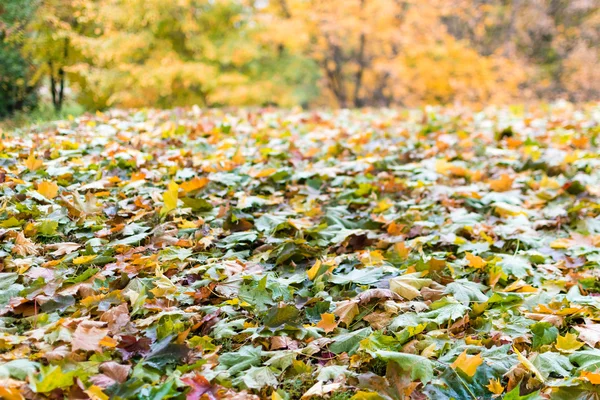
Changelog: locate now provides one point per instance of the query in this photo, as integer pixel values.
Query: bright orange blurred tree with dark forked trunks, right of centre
(383, 53)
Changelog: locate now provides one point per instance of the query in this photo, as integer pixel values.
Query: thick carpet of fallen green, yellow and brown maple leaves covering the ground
(377, 254)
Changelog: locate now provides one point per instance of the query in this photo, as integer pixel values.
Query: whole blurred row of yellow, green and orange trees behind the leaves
(339, 53)
